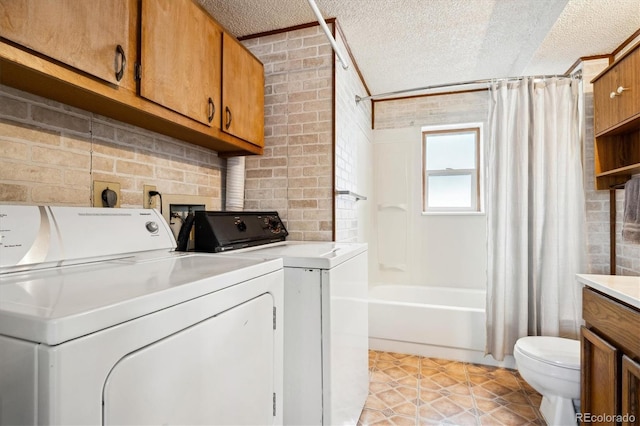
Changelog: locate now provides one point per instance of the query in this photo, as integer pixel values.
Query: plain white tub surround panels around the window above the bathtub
(423, 250)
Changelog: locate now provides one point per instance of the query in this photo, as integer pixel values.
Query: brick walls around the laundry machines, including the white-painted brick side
(295, 175)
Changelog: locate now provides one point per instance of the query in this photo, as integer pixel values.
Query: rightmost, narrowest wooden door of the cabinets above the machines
(242, 92)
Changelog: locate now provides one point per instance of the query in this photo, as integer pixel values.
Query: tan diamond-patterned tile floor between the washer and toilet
(414, 390)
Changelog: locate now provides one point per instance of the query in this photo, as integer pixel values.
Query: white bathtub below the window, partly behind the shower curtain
(436, 322)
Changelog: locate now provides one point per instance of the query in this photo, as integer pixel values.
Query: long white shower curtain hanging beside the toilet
(535, 211)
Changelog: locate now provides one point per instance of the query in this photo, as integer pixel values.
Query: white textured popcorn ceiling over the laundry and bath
(406, 44)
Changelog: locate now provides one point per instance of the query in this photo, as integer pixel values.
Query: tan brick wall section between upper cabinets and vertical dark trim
(295, 174)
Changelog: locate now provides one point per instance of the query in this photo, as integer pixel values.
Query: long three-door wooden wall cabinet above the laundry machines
(166, 76)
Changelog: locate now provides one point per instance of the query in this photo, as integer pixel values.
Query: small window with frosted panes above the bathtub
(451, 163)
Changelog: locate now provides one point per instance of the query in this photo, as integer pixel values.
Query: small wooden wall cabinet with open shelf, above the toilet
(616, 98)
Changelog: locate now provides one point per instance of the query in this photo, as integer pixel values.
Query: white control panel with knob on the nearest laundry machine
(35, 237)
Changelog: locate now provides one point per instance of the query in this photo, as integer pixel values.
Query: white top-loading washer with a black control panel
(326, 379)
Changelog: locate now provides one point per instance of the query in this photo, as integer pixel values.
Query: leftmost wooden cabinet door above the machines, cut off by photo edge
(84, 34)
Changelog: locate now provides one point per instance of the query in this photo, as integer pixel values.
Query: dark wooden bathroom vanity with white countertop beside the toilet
(610, 345)
